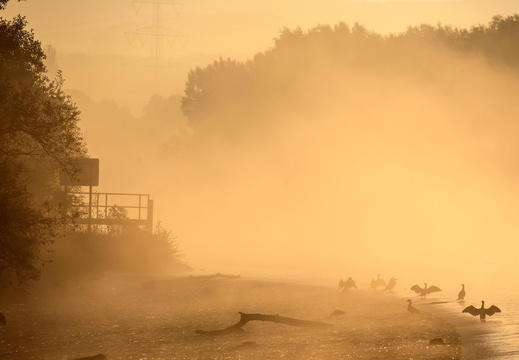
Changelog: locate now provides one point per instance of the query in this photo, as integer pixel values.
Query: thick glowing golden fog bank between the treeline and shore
(366, 171)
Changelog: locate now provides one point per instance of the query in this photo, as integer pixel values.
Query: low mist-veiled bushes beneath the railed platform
(80, 254)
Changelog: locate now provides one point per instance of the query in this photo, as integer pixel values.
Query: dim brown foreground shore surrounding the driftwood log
(135, 317)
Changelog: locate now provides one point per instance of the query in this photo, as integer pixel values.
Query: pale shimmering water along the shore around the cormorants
(501, 331)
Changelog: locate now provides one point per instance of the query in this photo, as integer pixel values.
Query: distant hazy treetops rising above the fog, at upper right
(332, 59)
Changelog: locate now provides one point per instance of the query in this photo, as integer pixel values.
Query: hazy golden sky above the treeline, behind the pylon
(95, 39)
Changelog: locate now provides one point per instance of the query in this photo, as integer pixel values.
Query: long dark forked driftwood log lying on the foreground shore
(245, 318)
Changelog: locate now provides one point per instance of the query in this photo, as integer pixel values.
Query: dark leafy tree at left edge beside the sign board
(38, 132)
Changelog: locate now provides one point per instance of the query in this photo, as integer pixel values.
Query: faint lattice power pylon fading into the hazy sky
(157, 33)
